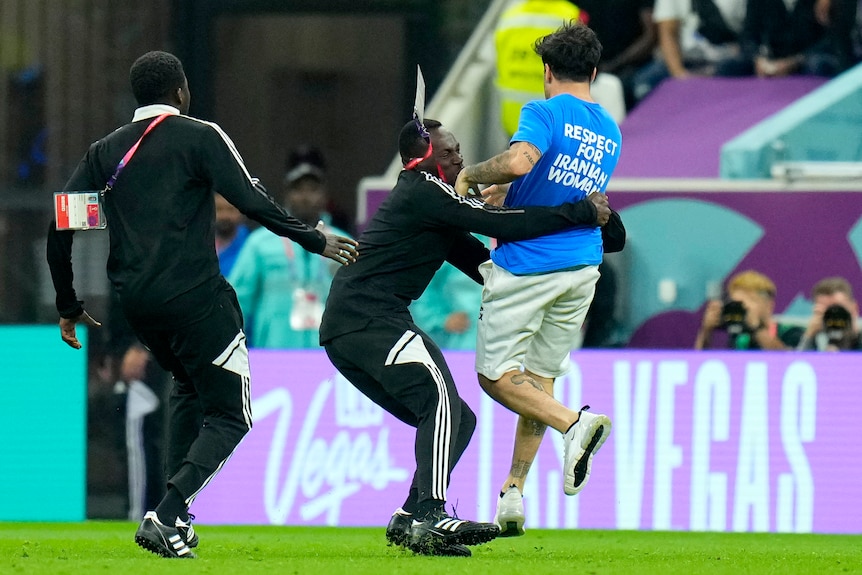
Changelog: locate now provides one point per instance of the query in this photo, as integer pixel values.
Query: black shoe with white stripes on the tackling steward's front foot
(439, 530)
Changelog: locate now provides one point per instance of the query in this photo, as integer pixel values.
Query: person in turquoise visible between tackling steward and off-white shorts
(449, 307)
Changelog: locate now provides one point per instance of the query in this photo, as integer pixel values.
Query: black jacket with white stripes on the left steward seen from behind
(161, 217)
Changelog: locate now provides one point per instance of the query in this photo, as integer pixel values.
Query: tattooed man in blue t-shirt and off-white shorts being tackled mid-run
(537, 292)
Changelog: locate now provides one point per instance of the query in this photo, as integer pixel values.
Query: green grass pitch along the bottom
(108, 547)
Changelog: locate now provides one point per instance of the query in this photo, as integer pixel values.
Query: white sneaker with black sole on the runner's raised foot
(580, 442)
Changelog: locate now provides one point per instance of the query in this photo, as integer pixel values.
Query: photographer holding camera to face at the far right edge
(834, 320)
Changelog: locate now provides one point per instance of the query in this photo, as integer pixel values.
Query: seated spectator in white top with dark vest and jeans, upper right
(695, 37)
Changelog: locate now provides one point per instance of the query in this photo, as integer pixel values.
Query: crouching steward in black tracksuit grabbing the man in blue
(370, 336)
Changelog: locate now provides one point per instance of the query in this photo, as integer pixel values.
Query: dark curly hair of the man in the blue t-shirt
(572, 52)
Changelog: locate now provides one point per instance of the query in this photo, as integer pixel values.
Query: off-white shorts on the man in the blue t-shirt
(531, 322)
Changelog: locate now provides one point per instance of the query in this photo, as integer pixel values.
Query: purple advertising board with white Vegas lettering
(724, 441)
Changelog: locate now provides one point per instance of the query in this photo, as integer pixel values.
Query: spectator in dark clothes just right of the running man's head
(628, 36)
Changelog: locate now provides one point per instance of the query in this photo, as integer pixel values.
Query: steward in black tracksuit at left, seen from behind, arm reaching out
(163, 264)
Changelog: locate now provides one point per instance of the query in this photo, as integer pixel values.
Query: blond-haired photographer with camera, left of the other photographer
(746, 316)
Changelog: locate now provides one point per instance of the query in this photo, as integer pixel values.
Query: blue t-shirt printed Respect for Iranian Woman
(580, 145)
